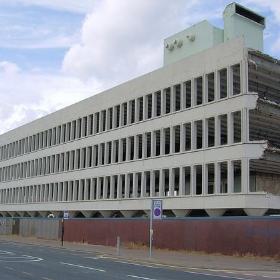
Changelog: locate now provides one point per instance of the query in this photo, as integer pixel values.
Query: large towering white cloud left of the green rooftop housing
(121, 40)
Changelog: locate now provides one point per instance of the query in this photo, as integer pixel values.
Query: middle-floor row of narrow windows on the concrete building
(169, 140)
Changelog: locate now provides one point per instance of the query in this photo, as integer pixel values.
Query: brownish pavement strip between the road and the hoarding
(168, 258)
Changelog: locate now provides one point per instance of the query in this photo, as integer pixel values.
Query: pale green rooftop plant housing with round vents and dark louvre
(238, 21)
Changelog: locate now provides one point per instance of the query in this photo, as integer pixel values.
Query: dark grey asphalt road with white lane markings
(22, 261)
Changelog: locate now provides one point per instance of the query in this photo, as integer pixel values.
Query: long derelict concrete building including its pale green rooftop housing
(202, 134)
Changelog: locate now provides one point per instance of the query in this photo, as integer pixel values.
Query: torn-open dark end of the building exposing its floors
(264, 120)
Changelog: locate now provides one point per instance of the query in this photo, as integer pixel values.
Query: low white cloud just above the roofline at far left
(28, 96)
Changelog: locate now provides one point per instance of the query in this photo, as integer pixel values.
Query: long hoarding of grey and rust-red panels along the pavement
(226, 235)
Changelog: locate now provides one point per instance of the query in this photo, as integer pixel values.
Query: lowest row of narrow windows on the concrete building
(211, 178)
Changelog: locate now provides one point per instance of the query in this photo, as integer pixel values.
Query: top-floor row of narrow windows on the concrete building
(195, 92)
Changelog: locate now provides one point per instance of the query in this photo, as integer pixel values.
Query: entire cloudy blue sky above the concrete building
(56, 52)
